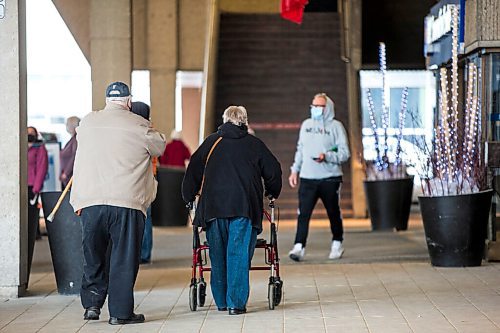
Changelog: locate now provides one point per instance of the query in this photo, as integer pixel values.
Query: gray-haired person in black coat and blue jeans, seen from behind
(230, 205)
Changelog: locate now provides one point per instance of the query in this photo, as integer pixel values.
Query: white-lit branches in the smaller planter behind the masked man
(382, 167)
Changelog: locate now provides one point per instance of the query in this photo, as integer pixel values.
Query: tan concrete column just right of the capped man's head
(162, 49)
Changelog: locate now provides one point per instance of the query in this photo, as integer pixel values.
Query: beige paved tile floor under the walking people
(384, 283)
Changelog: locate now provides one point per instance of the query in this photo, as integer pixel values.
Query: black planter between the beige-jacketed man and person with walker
(169, 209)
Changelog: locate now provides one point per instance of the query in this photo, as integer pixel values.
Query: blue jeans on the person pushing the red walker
(232, 244)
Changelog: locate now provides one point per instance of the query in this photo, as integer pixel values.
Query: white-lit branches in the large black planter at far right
(455, 159)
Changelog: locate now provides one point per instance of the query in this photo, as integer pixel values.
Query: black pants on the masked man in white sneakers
(328, 190)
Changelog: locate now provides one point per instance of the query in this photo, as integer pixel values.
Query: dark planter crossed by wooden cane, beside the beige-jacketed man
(65, 240)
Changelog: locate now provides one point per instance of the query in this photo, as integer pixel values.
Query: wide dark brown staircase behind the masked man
(274, 67)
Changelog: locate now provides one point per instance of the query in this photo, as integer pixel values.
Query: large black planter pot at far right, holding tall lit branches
(455, 228)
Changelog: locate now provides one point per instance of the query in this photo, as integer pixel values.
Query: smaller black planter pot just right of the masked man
(389, 202)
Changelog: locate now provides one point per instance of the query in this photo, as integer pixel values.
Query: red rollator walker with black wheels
(198, 287)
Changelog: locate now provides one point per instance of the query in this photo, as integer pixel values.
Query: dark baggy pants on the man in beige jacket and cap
(119, 229)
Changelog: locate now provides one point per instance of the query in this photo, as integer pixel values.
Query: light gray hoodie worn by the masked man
(325, 136)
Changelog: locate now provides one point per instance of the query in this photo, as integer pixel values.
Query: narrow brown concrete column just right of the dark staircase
(351, 21)
